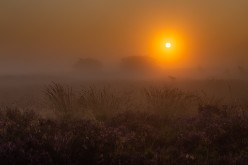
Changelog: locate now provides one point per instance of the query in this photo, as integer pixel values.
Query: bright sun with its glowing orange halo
(170, 48)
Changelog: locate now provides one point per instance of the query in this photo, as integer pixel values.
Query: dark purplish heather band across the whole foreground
(216, 135)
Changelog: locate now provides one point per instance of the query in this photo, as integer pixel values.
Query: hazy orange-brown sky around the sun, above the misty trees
(210, 31)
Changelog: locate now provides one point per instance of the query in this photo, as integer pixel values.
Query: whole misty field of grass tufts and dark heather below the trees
(123, 122)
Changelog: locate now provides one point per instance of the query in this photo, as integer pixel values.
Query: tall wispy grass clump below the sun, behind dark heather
(170, 102)
